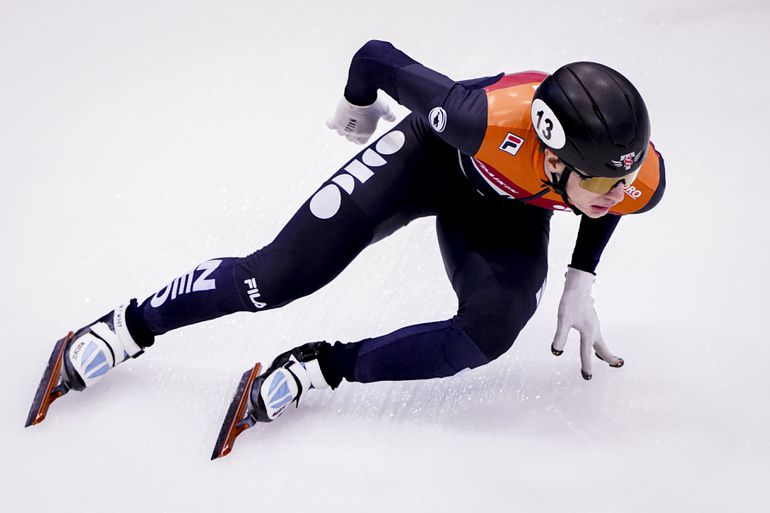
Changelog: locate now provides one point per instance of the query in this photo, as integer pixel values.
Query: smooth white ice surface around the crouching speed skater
(140, 138)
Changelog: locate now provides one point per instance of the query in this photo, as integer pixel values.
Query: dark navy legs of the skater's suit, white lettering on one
(494, 252)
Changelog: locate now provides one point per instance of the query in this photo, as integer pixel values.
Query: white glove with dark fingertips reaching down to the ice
(576, 310)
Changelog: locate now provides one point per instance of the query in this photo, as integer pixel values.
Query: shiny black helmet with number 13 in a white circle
(593, 119)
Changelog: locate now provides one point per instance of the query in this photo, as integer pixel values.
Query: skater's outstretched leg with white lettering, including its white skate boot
(384, 187)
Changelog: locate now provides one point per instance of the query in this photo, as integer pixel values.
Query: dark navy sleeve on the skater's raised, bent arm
(379, 65)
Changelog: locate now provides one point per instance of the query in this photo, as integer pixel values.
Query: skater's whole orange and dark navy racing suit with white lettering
(466, 155)
